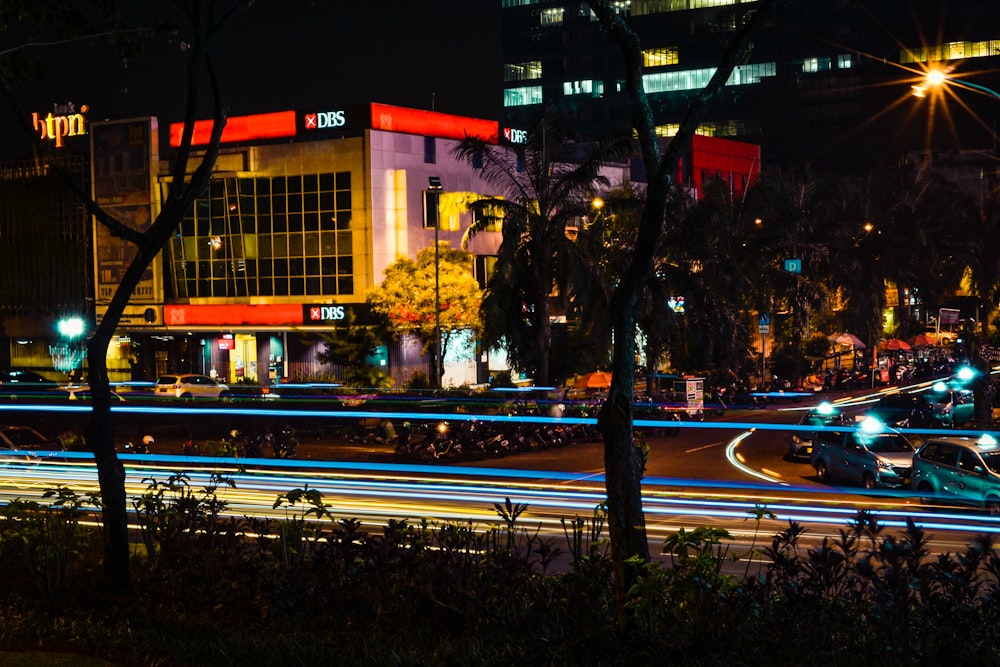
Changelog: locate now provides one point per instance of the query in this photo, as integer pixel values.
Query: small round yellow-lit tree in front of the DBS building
(411, 299)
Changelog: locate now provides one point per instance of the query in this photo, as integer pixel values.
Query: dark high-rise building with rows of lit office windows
(828, 83)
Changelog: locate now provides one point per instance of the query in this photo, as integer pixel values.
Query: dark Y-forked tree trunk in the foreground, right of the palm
(623, 460)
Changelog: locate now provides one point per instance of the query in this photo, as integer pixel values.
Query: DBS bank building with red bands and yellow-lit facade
(304, 212)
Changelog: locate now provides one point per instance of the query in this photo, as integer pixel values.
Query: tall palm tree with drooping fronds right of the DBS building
(545, 186)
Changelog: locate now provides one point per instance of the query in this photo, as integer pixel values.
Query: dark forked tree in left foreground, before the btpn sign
(190, 177)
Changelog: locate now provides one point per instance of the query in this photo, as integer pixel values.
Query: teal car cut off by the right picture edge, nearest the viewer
(964, 471)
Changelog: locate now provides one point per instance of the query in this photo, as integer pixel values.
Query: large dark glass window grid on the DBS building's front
(281, 236)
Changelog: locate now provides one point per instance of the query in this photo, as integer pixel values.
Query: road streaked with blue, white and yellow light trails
(720, 472)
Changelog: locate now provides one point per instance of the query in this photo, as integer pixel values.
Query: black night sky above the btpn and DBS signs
(293, 54)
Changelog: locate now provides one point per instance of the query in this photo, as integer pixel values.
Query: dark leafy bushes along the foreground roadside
(312, 588)
